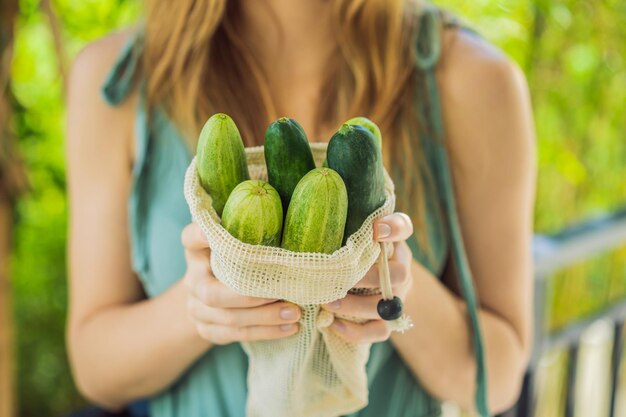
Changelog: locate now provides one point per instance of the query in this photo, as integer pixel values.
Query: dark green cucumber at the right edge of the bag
(354, 153)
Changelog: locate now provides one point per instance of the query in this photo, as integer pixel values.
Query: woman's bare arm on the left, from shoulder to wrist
(121, 346)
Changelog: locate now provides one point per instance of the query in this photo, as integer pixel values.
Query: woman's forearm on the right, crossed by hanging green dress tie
(438, 349)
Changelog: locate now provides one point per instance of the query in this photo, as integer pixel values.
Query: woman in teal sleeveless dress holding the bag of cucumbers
(147, 317)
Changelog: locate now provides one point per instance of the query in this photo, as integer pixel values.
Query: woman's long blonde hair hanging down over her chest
(199, 65)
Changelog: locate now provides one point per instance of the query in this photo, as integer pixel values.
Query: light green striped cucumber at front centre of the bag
(317, 213)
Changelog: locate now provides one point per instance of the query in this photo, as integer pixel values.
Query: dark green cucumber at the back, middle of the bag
(288, 157)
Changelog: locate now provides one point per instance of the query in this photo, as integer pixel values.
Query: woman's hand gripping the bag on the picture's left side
(223, 316)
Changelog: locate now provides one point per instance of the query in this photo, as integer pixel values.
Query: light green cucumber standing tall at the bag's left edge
(221, 159)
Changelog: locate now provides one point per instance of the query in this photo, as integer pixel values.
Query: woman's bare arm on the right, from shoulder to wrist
(490, 138)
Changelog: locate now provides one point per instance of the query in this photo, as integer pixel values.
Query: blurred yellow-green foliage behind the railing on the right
(572, 52)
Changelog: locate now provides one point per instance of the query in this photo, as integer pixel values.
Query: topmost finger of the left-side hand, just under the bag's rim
(208, 290)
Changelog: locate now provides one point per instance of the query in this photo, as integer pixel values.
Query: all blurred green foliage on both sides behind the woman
(572, 51)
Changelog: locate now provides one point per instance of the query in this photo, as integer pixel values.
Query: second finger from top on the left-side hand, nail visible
(267, 315)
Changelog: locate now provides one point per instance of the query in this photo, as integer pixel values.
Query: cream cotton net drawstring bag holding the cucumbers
(313, 373)
